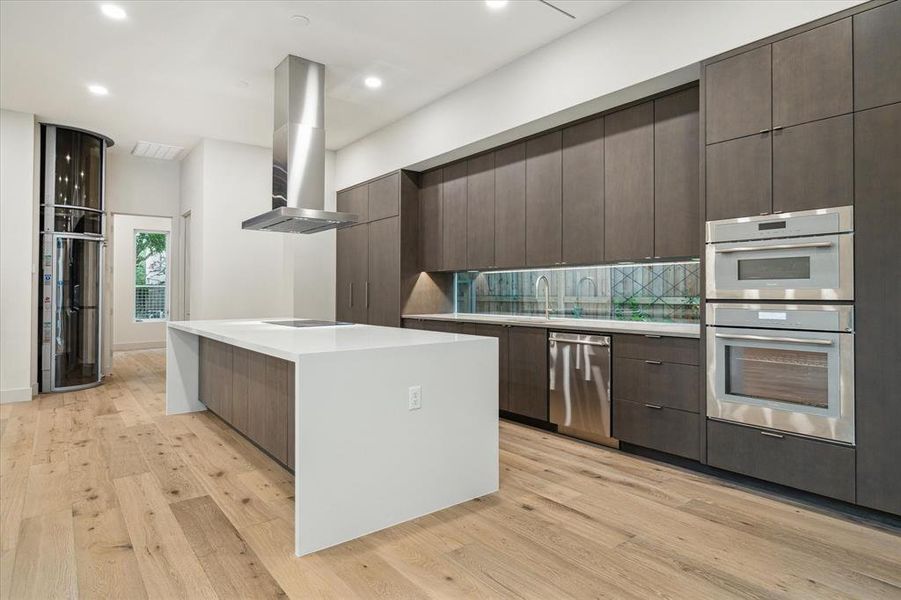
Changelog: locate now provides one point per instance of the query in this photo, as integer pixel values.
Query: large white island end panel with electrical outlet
(365, 462)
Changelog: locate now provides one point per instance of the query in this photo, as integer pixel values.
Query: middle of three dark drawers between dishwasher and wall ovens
(655, 382)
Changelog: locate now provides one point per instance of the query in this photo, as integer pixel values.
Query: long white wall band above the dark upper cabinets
(577, 75)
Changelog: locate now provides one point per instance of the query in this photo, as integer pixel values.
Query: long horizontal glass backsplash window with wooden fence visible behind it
(666, 292)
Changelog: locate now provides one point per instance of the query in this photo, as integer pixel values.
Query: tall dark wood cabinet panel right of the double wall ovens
(877, 320)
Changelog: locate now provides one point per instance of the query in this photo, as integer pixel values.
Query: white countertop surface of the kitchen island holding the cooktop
(290, 343)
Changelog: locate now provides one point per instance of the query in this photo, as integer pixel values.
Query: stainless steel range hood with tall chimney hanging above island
(298, 154)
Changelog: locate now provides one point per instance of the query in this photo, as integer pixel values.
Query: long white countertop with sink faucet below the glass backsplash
(692, 330)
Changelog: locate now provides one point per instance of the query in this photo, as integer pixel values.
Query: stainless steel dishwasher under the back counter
(579, 371)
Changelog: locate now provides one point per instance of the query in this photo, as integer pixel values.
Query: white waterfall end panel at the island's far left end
(182, 372)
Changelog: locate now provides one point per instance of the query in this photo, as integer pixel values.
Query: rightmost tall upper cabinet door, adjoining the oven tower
(676, 218)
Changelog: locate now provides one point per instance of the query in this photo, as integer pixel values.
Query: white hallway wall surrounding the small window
(129, 334)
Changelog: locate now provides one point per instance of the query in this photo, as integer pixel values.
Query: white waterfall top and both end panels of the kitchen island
(364, 459)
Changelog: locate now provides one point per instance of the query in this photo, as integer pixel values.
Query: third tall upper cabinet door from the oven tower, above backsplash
(583, 193)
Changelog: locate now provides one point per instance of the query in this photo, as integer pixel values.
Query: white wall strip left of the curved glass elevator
(17, 256)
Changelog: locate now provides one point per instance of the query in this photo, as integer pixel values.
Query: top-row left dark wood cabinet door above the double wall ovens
(738, 95)
